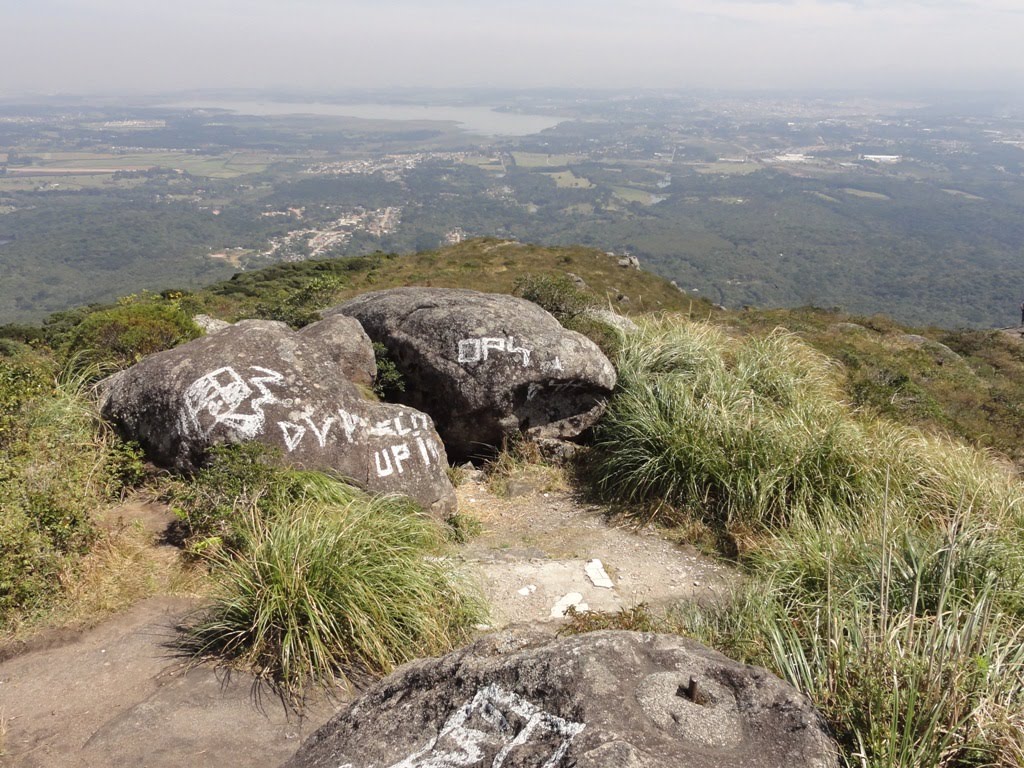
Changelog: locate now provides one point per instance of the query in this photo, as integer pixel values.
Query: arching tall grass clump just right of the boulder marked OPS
(753, 435)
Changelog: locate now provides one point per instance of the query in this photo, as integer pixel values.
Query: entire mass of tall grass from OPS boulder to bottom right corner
(884, 566)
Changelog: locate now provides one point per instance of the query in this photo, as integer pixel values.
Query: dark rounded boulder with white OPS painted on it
(487, 366)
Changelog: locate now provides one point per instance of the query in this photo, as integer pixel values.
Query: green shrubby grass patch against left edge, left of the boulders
(58, 465)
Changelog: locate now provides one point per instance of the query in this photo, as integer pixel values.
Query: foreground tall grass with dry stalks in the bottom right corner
(911, 644)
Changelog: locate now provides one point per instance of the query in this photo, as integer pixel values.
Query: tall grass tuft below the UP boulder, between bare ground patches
(321, 581)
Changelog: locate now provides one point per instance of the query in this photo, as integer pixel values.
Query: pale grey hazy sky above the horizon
(109, 46)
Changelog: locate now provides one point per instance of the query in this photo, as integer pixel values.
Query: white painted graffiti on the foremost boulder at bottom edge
(495, 717)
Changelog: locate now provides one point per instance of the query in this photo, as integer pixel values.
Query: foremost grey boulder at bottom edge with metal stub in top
(607, 700)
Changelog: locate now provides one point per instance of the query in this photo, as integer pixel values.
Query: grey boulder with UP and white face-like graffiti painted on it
(260, 380)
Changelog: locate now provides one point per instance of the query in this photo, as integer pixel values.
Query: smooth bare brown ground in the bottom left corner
(118, 697)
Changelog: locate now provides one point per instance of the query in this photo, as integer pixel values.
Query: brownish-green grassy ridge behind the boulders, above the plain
(969, 383)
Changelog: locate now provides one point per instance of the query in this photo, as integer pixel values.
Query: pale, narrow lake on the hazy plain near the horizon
(483, 120)
